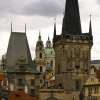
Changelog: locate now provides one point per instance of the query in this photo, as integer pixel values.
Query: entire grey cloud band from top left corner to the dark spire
(31, 7)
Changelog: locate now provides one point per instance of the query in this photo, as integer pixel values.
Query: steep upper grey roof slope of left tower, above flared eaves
(18, 47)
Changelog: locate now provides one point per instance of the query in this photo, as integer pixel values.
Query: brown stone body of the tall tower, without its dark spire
(72, 60)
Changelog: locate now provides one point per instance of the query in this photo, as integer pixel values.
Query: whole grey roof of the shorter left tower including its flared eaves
(18, 49)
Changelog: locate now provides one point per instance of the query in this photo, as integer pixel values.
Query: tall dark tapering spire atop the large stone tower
(71, 21)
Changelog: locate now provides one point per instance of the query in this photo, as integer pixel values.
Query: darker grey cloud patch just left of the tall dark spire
(45, 8)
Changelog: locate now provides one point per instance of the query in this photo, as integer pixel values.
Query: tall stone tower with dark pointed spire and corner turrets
(72, 50)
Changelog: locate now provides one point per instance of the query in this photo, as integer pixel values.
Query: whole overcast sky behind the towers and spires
(39, 15)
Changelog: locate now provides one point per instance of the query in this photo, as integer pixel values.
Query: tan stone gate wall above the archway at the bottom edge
(57, 94)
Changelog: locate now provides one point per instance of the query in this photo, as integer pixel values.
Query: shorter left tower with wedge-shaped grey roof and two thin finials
(21, 72)
